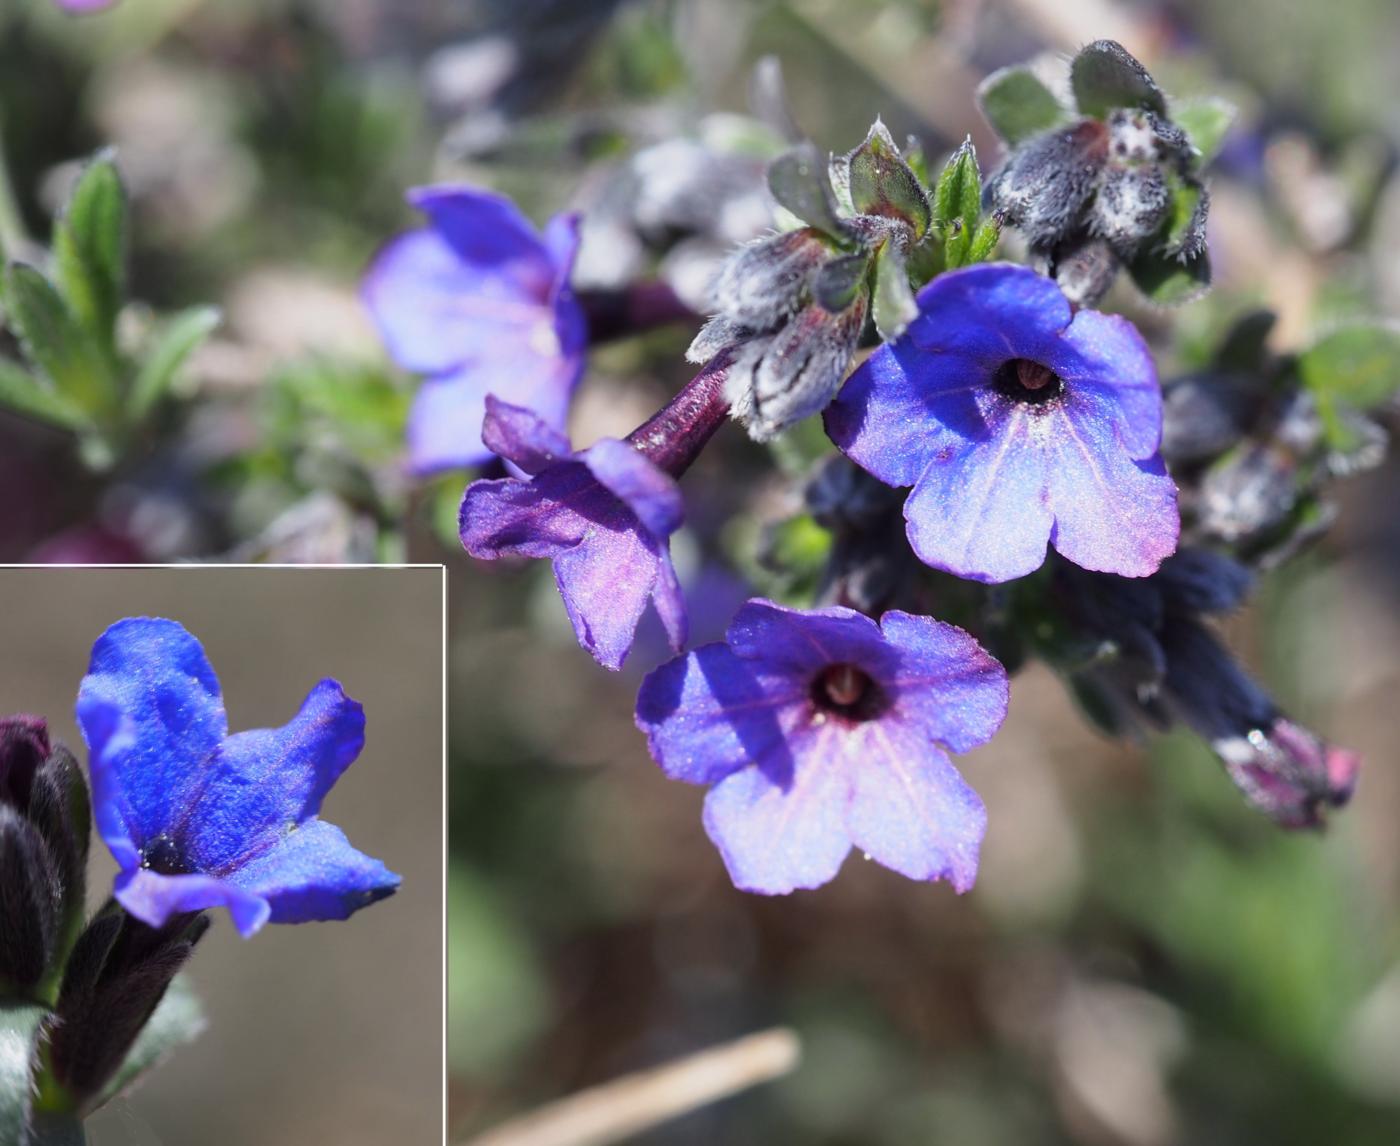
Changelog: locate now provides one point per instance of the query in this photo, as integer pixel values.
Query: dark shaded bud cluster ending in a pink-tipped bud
(1154, 661)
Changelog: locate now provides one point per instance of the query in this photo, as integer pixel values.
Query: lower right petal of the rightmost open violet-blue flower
(1112, 514)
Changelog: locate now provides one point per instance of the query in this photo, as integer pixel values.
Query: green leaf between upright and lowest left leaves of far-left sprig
(57, 344)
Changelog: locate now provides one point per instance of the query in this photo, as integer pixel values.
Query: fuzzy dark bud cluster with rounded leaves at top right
(1112, 183)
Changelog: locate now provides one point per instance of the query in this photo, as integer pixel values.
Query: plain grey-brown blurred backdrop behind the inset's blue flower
(324, 1032)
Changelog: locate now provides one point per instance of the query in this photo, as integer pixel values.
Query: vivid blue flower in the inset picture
(199, 819)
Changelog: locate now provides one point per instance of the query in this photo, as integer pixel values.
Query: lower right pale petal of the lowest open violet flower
(911, 809)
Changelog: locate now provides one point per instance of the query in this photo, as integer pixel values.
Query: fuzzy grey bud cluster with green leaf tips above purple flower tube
(792, 307)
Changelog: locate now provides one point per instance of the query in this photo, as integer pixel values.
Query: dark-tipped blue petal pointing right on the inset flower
(314, 874)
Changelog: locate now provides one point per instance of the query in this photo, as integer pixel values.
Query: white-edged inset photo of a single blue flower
(222, 856)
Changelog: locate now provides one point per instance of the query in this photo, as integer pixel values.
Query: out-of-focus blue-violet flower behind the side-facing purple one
(478, 302)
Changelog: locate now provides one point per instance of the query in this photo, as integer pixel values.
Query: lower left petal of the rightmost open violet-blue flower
(981, 513)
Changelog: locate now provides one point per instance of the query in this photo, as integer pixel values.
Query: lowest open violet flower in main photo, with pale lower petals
(822, 731)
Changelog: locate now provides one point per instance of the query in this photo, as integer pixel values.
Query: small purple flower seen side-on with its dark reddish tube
(604, 516)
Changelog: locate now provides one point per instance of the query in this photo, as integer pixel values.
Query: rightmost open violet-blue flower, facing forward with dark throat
(1020, 423)
